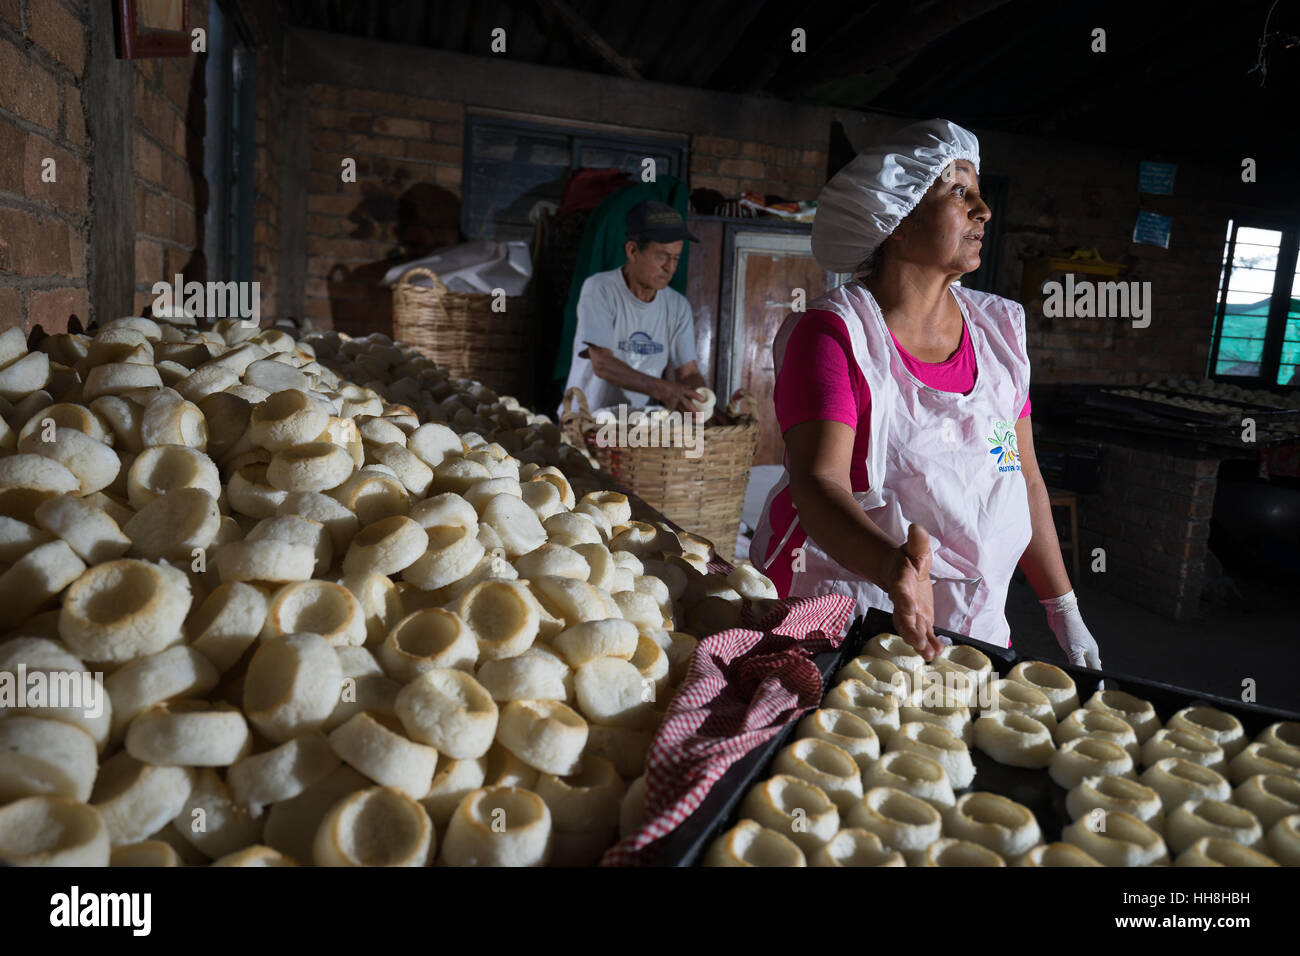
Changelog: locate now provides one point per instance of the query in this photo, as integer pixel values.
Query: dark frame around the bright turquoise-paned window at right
(1280, 301)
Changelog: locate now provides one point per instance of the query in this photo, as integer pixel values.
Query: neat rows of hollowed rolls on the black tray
(882, 776)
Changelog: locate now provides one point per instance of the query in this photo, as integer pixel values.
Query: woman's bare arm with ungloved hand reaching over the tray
(818, 456)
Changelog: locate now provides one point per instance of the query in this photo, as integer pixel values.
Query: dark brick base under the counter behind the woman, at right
(1152, 518)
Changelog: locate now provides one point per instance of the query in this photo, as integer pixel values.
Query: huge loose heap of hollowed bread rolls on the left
(340, 609)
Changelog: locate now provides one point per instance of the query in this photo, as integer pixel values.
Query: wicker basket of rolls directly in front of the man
(705, 495)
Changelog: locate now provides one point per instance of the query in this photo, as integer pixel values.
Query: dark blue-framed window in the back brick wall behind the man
(512, 166)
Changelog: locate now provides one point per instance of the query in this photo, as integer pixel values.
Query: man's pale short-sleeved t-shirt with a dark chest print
(649, 336)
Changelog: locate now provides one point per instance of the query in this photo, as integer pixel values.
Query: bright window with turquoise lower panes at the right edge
(1258, 325)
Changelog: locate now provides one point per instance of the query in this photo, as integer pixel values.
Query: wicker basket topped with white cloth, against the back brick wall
(461, 332)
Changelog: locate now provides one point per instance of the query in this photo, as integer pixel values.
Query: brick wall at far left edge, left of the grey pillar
(44, 226)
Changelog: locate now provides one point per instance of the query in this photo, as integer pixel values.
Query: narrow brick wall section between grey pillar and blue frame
(168, 163)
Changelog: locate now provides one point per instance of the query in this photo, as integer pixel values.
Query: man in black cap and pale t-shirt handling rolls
(632, 327)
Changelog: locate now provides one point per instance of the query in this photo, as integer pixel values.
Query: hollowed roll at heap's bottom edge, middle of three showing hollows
(380, 827)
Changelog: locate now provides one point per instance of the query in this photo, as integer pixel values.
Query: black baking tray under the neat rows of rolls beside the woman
(1034, 789)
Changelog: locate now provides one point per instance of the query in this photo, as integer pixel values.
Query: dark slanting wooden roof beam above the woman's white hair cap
(878, 47)
